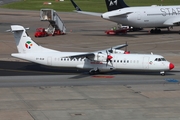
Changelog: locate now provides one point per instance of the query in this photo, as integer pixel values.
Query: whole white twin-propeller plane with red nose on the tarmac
(98, 61)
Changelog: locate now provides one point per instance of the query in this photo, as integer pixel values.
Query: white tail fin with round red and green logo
(23, 42)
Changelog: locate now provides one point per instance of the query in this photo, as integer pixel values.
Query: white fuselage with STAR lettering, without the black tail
(151, 16)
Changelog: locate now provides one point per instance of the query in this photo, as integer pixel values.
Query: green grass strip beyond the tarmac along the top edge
(86, 5)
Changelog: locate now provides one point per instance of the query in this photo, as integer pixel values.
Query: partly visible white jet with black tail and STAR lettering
(141, 16)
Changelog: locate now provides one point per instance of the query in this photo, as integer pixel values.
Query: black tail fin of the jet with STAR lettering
(115, 4)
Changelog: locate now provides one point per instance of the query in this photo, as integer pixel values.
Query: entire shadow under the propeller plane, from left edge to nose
(17, 68)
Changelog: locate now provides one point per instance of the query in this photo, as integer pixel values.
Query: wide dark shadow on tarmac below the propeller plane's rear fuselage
(14, 68)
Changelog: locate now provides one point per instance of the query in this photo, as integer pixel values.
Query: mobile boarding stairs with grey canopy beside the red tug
(56, 25)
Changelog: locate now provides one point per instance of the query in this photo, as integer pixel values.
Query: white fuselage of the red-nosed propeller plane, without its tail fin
(119, 61)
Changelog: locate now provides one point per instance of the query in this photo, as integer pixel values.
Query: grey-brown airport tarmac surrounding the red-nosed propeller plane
(30, 91)
